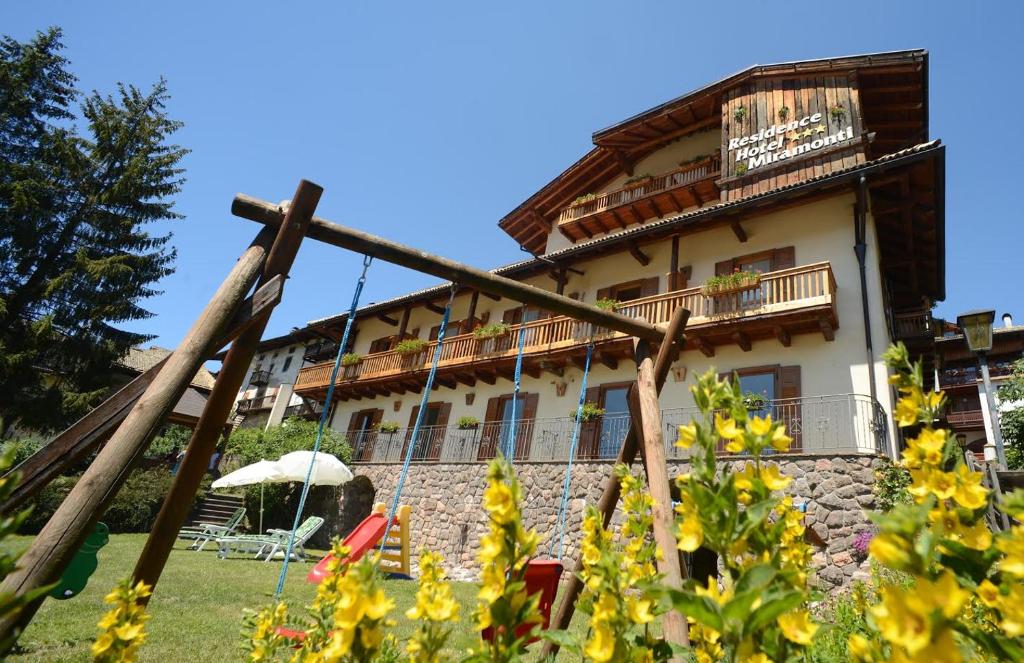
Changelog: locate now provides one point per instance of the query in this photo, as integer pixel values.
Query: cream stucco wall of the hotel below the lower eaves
(822, 231)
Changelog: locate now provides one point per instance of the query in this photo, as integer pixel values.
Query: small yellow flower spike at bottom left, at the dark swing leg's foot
(122, 630)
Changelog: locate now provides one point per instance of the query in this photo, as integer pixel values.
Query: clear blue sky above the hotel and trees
(428, 122)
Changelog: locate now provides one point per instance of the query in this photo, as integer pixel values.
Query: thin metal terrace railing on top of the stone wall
(819, 425)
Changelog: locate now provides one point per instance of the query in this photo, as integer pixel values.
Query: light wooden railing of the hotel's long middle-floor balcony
(795, 289)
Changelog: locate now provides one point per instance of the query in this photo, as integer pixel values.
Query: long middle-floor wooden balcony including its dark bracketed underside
(786, 303)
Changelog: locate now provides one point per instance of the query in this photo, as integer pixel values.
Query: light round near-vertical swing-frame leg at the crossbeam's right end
(646, 418)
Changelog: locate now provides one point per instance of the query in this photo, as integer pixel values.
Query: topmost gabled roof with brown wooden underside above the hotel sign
(889, 82)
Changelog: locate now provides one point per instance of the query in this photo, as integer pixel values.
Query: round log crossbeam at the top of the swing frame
(465, 276)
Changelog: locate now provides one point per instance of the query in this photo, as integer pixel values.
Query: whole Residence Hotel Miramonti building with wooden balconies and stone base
(820, 177)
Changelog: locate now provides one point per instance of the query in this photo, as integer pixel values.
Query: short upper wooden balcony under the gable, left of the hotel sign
(689, 186)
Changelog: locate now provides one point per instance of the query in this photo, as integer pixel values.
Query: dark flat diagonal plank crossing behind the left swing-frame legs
(84, 436)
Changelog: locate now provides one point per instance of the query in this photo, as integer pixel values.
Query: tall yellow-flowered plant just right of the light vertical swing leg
(757, 613)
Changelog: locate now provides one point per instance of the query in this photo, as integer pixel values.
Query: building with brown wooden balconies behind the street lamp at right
(958, 375)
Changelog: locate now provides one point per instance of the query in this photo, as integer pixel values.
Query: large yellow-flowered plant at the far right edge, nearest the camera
(965, 600)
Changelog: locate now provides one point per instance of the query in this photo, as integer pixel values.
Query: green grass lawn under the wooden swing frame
(197, 609)
